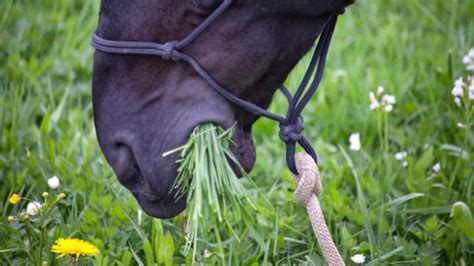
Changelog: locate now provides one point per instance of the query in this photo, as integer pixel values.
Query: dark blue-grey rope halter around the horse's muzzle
(291, 125)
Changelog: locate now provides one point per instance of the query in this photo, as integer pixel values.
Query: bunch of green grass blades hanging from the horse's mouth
(214, 193)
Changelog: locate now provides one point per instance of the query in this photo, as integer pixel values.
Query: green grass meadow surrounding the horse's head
(374, 205)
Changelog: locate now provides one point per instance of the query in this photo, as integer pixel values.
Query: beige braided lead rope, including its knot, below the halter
(309, 187)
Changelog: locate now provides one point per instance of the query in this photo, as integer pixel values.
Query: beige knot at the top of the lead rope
(308, 181)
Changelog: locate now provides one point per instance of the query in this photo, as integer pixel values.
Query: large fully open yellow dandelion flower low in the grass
(74, 246)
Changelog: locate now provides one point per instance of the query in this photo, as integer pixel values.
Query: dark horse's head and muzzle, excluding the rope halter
(145, 106)
